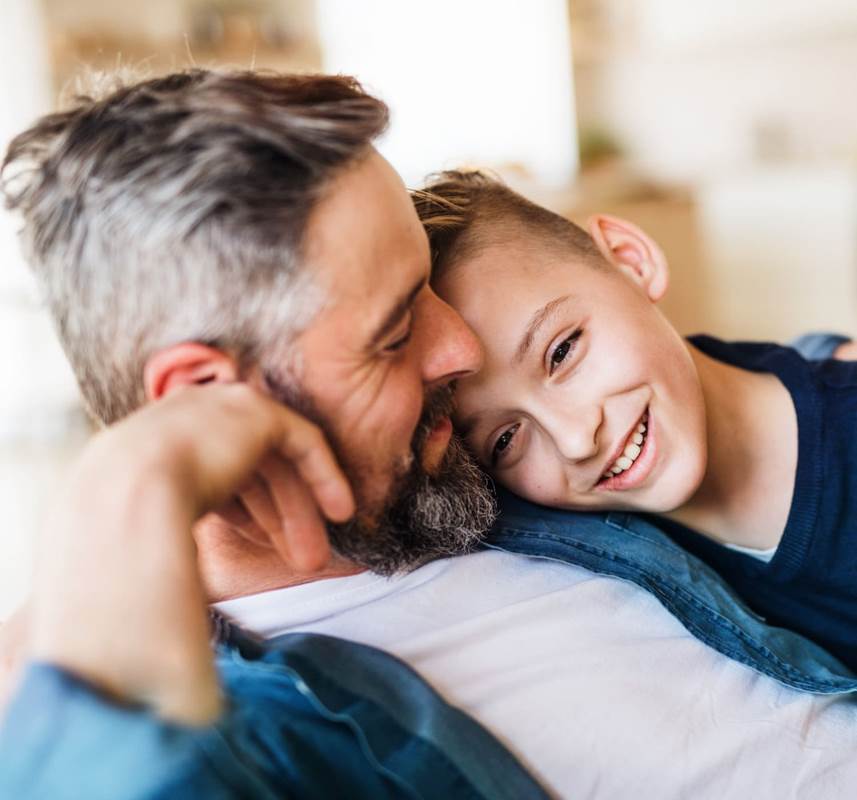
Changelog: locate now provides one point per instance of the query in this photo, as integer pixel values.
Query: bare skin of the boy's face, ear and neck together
(549, 421)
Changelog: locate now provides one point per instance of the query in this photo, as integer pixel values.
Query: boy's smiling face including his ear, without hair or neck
(588, 398)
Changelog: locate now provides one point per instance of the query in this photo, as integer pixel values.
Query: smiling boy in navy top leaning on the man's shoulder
(590, 400)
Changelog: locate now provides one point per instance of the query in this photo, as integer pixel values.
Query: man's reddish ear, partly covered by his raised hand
(185, 364)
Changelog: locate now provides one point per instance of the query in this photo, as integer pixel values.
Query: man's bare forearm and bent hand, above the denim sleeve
(118, 598)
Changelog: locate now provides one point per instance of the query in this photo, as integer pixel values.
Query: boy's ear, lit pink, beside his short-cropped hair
(628, 248)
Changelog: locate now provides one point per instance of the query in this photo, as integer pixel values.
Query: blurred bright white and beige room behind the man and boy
(720, 128)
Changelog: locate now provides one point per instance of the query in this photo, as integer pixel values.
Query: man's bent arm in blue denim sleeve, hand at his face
(119, 617)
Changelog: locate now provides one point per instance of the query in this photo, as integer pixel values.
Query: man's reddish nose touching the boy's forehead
(450, 348)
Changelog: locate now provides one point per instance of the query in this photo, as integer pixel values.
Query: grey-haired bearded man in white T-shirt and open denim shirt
(222, 252)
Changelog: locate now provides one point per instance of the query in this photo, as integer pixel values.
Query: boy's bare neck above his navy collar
(746, 493)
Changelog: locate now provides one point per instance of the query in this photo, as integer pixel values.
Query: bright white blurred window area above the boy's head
(484, 82)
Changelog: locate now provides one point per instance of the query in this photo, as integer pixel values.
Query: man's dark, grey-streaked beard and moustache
(424, 516)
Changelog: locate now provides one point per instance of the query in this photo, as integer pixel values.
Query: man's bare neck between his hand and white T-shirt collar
(232, 566)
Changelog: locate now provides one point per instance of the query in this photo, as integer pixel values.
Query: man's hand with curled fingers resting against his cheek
(265, 469)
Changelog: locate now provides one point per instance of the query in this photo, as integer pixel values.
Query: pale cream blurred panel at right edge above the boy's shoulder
(781, 243)
